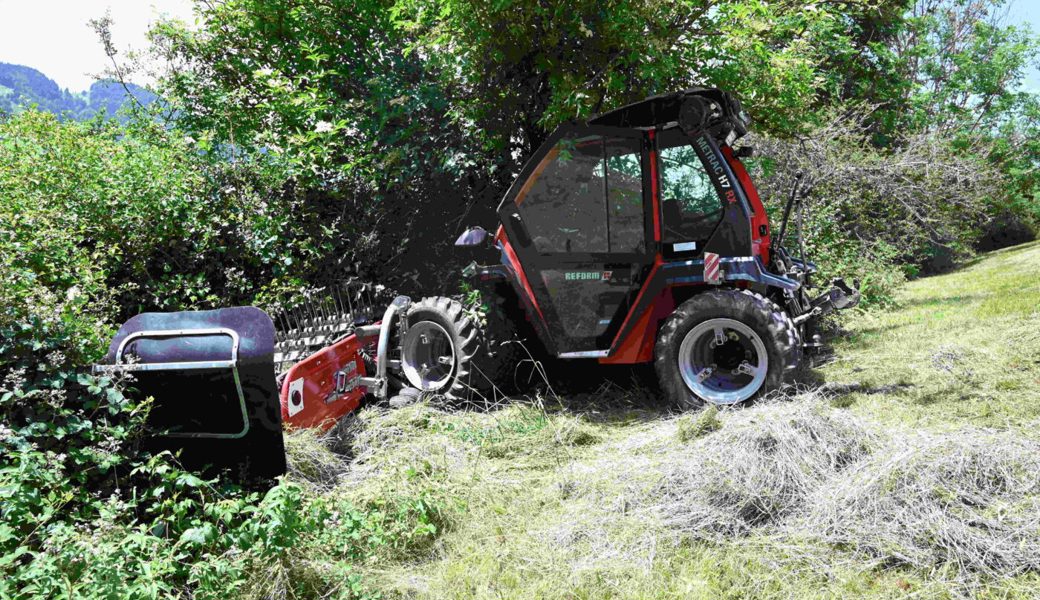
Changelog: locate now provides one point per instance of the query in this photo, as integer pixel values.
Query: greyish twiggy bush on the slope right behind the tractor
(875, 215)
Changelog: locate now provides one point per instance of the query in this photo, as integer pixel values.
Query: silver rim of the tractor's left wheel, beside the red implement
(428, 357)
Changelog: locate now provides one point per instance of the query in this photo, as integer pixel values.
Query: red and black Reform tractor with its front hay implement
(636, 237)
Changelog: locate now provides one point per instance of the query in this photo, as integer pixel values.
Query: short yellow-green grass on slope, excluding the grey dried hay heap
(545, 500)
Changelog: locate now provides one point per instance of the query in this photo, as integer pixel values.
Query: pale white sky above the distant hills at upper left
(54, 38)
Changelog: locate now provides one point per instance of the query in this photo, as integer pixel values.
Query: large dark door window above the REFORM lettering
(586, 197)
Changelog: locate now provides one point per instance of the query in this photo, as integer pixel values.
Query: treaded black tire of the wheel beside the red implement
(460, 328)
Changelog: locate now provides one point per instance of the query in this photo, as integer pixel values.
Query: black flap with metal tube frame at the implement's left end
(212, 375)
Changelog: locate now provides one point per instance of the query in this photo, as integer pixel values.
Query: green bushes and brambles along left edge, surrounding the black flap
(97, 223)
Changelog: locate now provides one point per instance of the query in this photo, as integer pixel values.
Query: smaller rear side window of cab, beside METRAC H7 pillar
(691, 205)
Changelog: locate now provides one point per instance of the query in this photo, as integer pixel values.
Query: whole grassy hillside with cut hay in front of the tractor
(908, 469)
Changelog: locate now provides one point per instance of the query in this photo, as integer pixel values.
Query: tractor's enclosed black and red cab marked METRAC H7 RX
(605, 206)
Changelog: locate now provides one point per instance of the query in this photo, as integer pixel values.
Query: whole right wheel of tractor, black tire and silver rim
(725, 347)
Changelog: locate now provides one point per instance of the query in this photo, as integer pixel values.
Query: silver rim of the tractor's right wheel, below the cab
(723, 361)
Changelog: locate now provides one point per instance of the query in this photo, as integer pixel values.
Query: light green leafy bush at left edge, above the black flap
(136, 219)
